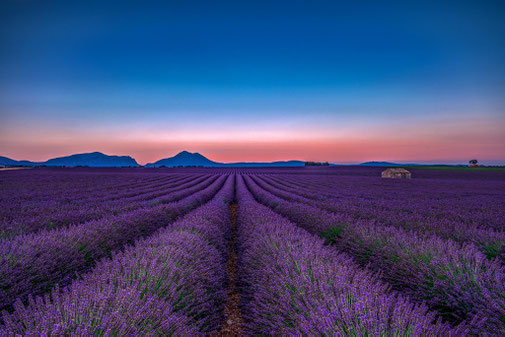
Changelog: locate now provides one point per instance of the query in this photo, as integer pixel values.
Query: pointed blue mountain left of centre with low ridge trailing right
(186, 158)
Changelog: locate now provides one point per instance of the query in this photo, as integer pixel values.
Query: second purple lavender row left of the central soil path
(33, 264)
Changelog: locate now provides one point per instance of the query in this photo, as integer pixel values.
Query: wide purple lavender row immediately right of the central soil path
(295, 285)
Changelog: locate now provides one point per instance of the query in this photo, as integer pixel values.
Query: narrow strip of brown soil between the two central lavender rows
(233, 319)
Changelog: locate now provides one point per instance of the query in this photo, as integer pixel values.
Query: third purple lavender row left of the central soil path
(54, 215)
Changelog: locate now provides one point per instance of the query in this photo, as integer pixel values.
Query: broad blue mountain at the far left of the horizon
(94, 159)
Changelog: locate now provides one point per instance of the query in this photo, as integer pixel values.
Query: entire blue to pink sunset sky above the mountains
(344, 82)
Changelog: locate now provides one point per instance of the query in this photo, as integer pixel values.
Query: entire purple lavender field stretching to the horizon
(252, 251)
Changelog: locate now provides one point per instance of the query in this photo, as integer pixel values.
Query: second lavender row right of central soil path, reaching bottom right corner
(456, 280)
